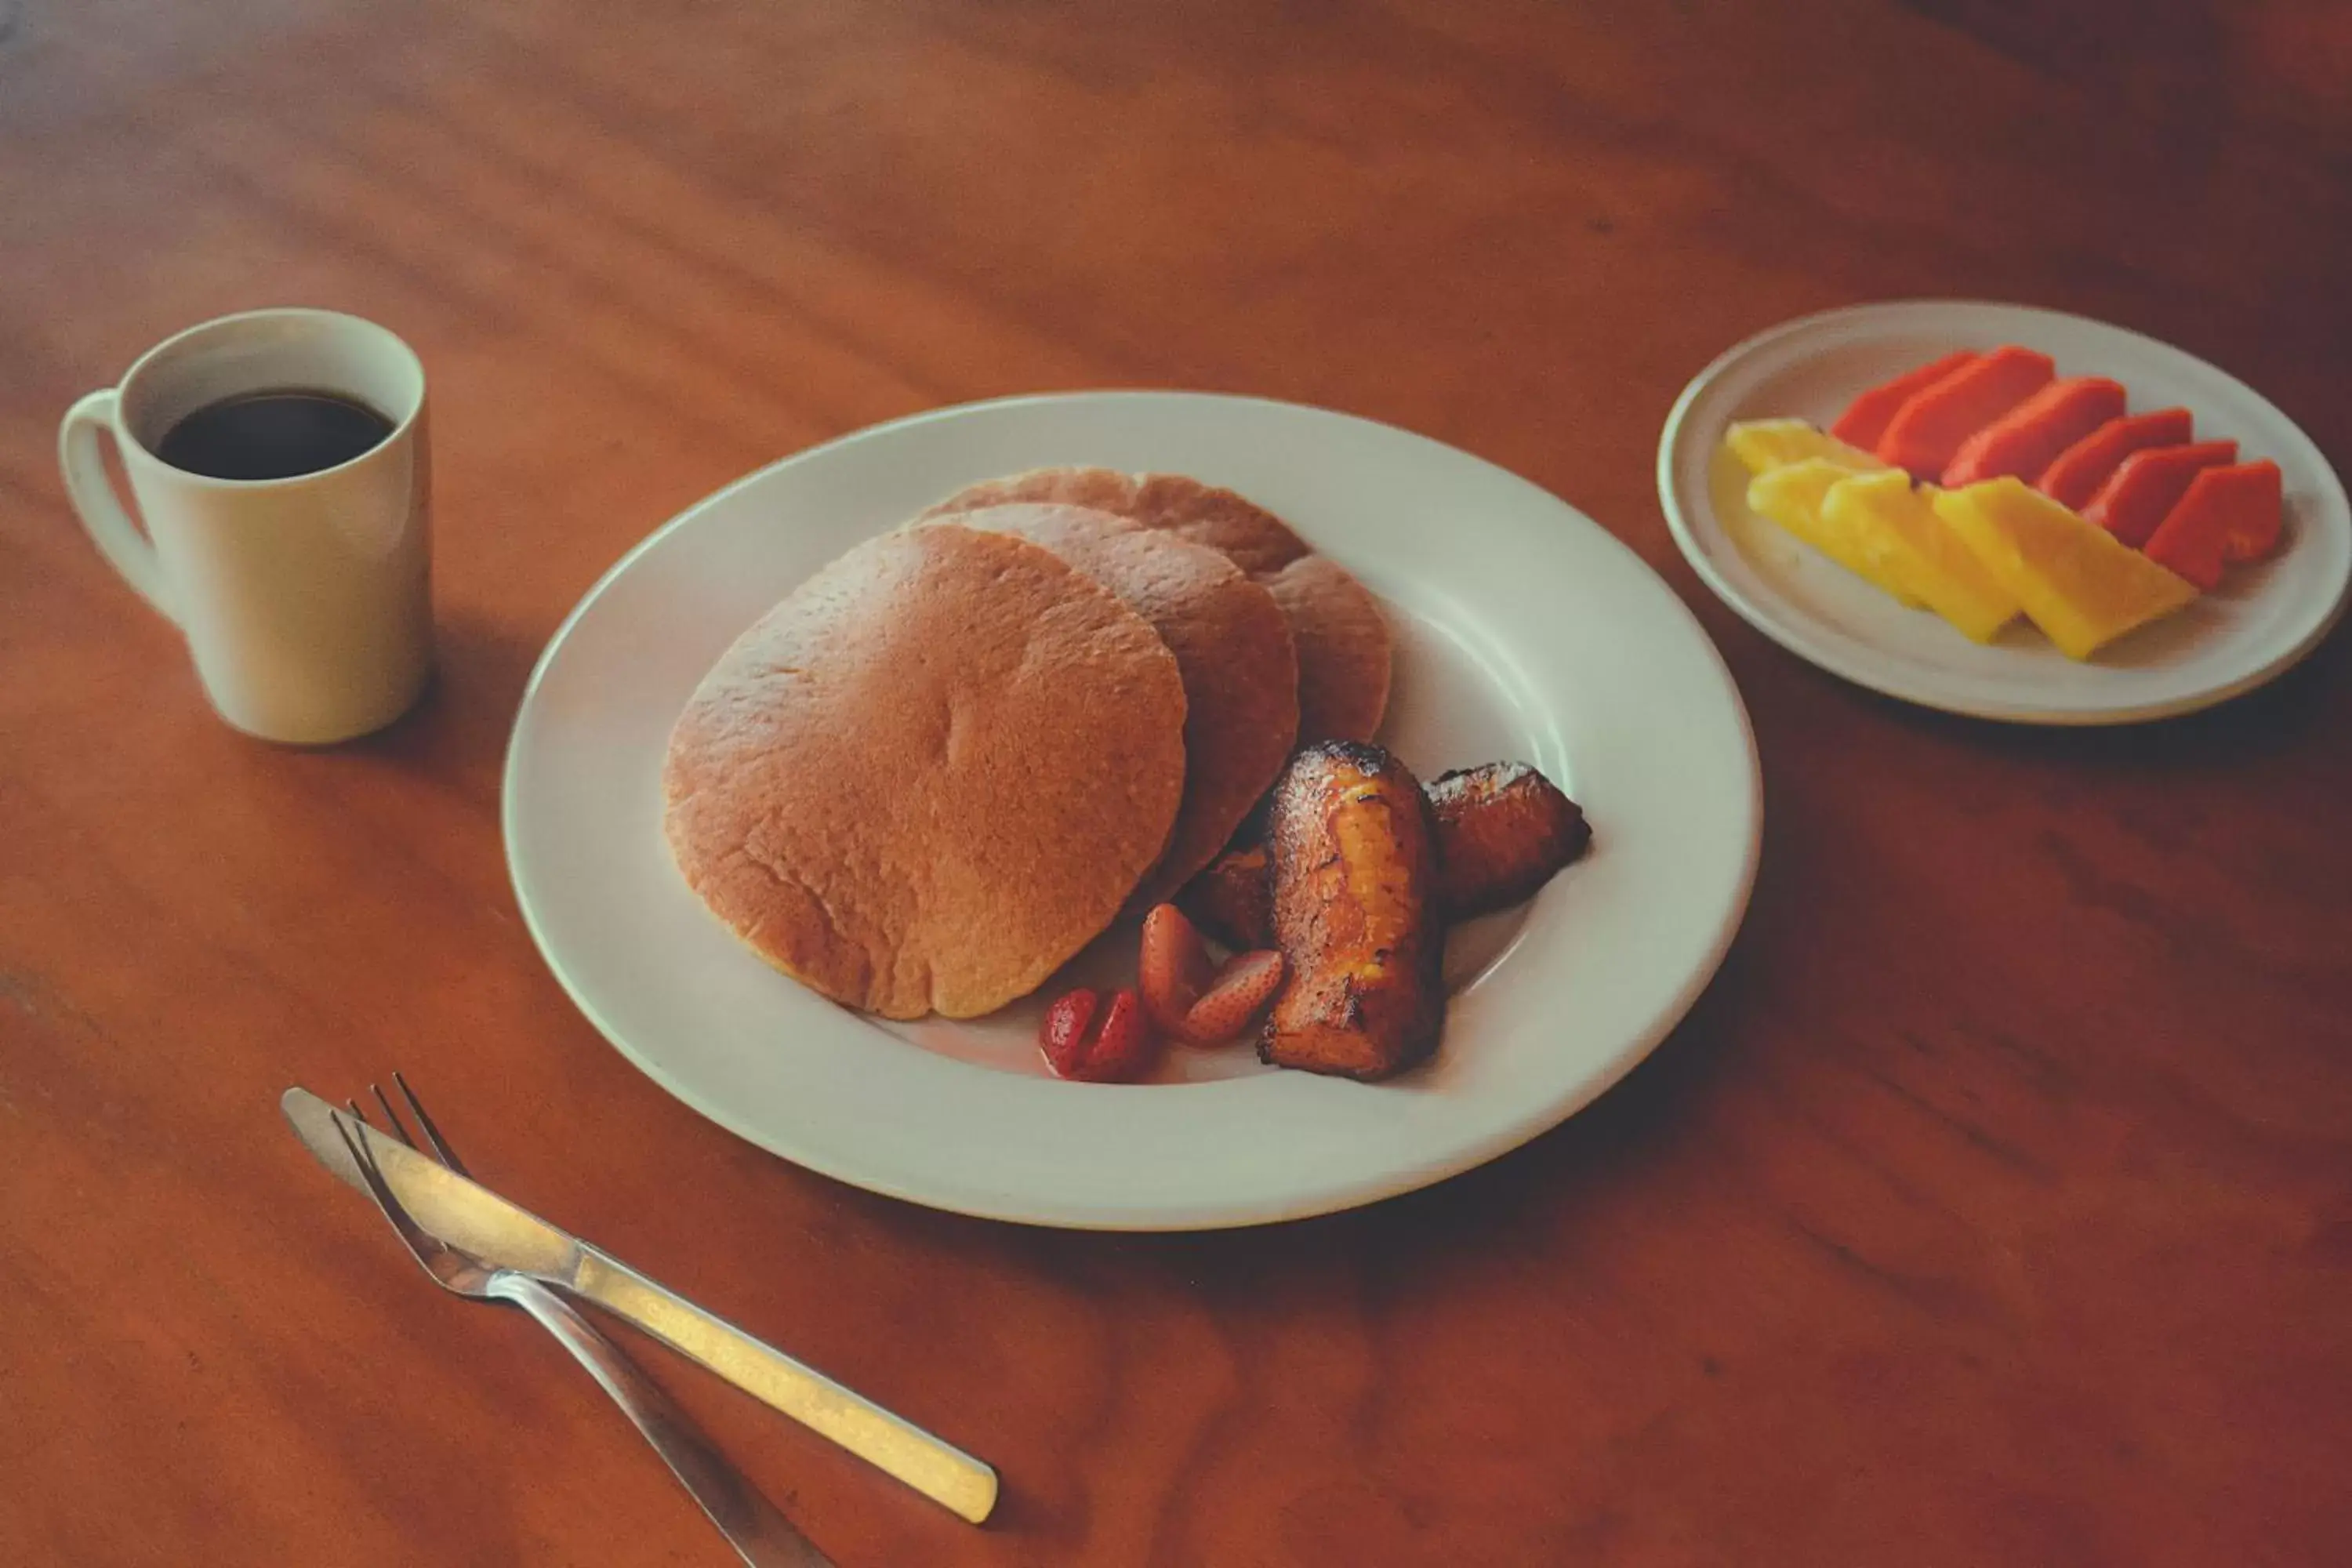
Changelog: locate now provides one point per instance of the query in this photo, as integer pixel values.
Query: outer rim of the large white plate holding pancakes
(1194, 1217)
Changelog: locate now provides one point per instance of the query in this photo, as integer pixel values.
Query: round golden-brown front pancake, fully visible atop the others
(930, 775)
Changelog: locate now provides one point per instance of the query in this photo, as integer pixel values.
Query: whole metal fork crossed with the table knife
(735, 1506)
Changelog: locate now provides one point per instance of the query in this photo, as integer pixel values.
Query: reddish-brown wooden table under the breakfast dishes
(1993, 1207)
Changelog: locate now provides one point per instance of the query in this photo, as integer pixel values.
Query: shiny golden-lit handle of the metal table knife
(935, 1468)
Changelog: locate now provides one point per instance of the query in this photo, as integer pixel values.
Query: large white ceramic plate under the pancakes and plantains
(1525, 631)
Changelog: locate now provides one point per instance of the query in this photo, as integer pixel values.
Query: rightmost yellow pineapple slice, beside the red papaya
(2078, 584)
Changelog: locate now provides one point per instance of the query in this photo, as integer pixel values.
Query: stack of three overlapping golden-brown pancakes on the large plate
(951, 758)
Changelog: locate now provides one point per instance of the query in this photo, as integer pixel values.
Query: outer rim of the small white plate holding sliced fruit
(1890, 681)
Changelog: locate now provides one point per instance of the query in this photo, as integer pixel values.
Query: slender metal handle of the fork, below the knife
(744, 1517)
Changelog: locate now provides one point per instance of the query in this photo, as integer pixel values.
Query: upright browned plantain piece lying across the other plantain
(1356, 916)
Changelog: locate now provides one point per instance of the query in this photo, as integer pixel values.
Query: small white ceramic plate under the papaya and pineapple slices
(2254, 626)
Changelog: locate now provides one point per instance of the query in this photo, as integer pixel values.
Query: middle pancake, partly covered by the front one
(1231, 645)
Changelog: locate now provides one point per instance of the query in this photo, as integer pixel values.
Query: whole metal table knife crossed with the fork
(502, 1233)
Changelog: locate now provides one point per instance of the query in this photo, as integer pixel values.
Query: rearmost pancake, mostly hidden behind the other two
(1337, 626)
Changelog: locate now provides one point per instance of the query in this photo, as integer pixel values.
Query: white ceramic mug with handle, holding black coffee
(307, 601)
